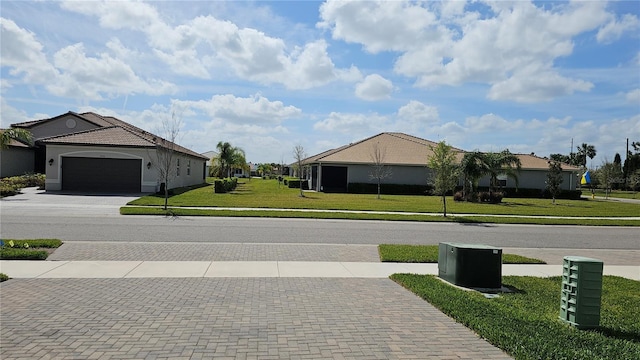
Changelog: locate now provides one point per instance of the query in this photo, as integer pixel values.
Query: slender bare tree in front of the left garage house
(165, 152)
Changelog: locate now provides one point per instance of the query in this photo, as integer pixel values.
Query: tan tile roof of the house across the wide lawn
(403, 149)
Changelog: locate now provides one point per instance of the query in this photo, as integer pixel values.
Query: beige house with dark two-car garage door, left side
(89, 152)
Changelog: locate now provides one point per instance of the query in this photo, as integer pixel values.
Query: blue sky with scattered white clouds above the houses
(267, 76)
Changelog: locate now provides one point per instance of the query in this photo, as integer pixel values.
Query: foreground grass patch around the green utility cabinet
(525, 323)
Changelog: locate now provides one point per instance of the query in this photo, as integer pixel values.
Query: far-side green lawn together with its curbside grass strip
(259, 193)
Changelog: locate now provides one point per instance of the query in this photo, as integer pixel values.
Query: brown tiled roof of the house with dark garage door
(111, 131)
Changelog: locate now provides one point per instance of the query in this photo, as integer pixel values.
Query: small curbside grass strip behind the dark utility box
(429, 254)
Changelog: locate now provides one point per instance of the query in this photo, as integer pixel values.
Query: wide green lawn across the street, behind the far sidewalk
(258, 193)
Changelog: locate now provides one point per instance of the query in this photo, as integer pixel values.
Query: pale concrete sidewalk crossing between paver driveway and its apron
(257, 269)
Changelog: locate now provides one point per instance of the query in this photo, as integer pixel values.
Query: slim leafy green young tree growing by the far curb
(445, 176)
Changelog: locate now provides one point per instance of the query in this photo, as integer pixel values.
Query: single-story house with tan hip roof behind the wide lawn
(407, 156)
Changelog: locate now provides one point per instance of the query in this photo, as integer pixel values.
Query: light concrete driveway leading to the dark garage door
(32, 200)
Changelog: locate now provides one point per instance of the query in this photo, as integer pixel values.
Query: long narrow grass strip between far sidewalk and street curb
(177, 211)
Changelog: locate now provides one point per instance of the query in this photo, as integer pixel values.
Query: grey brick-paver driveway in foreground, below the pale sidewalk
(198, 318)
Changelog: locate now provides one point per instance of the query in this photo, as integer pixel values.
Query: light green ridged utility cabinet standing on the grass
(581, 291)
